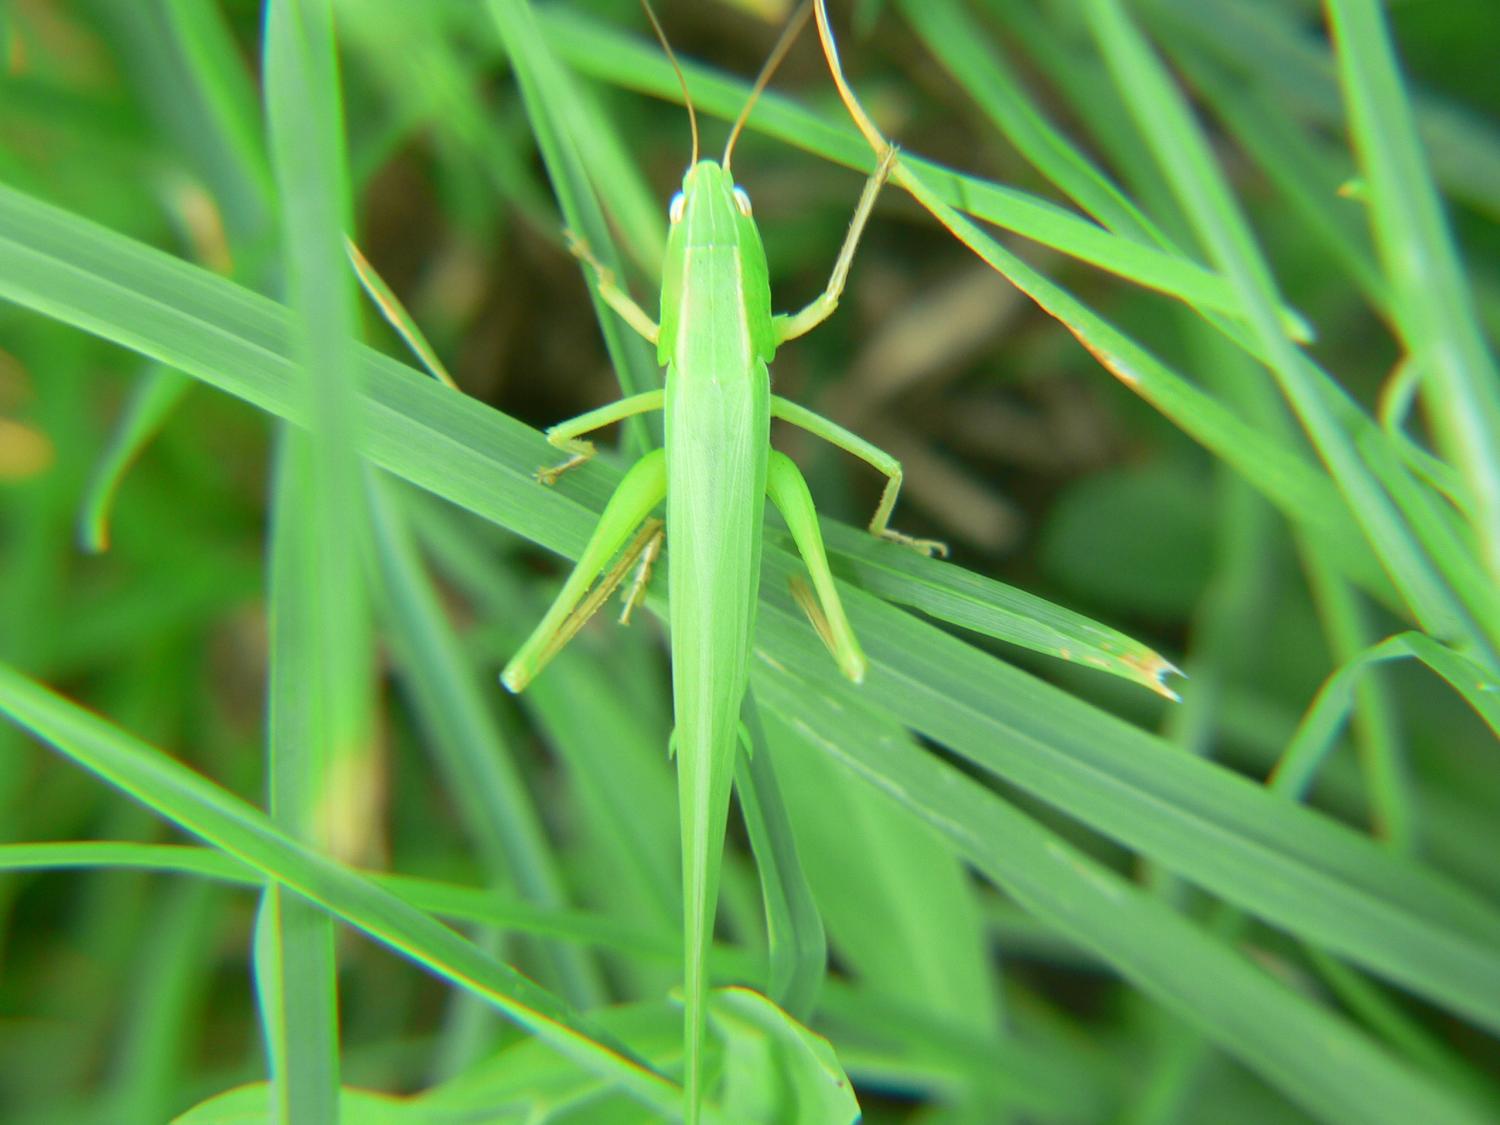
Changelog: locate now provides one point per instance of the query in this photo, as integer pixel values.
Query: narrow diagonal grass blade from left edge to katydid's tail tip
(203, 809)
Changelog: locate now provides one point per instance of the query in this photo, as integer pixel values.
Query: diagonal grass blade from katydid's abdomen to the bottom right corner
(1292, 1043)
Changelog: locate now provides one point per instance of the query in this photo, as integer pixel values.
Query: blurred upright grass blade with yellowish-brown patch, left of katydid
(323, 770)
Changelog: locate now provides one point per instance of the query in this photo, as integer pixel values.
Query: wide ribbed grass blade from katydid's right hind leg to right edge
(1063, 752)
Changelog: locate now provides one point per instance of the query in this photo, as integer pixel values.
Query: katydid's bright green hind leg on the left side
(641, 490)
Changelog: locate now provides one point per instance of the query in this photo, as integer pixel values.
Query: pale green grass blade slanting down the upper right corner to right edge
(1435, 310)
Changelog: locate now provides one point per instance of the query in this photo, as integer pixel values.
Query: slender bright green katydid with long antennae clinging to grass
(716, 338)
